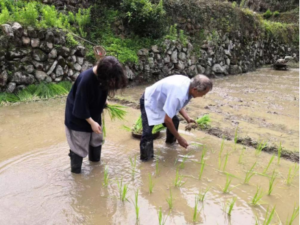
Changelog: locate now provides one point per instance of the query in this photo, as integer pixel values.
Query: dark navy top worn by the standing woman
(86, 99)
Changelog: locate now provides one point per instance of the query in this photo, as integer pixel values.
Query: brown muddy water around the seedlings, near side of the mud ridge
(36, 186)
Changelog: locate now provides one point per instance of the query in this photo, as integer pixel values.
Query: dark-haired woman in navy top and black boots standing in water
(85, 104)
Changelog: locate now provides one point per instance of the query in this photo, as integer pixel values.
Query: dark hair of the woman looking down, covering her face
(111, 75)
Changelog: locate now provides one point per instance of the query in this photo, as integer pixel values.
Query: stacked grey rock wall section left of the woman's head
(29, 56)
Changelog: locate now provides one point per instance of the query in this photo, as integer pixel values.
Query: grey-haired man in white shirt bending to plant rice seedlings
(162, 101)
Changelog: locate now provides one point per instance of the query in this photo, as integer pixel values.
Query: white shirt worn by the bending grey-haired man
(166, 96)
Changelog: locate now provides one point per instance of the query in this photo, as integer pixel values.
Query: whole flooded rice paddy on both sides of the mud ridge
(36, 186)
